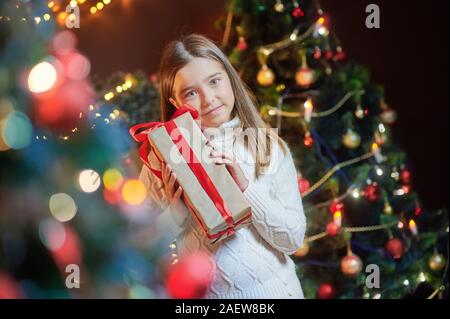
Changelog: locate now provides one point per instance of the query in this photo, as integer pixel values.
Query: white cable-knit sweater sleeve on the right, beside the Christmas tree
(277, 209)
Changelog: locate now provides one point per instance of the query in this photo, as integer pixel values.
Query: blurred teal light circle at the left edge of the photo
(16, 130)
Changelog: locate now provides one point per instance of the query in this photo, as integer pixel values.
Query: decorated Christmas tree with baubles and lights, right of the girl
(368, 234)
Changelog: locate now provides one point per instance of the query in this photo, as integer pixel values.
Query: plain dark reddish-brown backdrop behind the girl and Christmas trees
(408, 55)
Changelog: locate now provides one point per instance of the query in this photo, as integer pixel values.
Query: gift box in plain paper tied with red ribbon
(210, 192)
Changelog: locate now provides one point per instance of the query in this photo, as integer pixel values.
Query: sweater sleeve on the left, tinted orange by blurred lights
(169, 222)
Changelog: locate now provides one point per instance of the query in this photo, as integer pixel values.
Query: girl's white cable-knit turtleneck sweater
(254, 262)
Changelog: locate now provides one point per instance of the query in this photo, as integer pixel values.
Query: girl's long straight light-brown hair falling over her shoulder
(178, 53)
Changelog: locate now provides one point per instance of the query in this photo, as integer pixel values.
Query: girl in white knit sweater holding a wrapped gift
(254, 262)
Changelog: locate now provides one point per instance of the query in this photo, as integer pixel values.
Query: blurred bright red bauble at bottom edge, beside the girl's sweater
(191, 276)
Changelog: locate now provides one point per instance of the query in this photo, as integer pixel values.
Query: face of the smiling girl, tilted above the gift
(204, 84)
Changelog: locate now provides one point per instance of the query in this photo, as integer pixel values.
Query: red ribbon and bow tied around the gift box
(192, 161)
